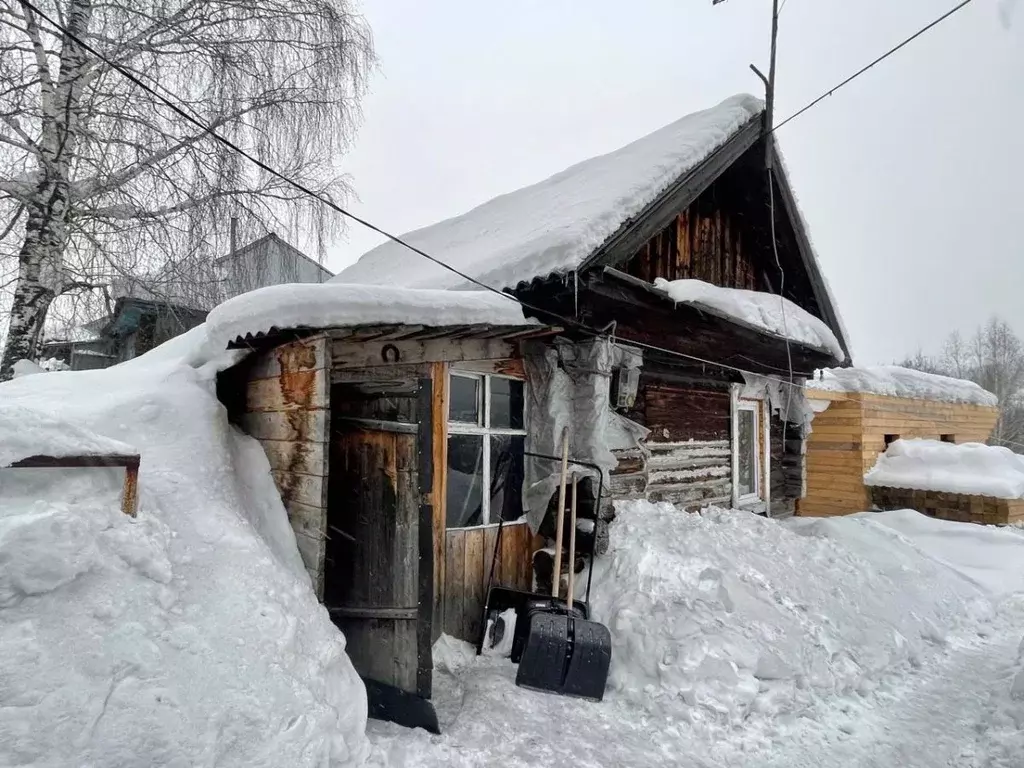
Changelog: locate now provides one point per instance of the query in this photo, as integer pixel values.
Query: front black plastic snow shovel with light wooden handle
(566, 653)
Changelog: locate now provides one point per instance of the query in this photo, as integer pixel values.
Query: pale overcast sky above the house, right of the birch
(912, 179)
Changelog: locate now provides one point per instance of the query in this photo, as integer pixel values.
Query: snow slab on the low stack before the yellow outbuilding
(966, 468)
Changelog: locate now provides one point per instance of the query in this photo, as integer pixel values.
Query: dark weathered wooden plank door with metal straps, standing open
(379, 573)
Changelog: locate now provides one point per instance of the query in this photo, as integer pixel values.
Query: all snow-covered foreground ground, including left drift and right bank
(191, 636)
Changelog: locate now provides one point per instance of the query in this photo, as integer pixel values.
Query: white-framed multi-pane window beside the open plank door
(485, 450)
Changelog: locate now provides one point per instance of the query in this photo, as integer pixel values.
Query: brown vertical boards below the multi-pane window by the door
(468, 556)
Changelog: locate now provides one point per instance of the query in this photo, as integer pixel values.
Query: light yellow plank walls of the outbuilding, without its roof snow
(848, 437)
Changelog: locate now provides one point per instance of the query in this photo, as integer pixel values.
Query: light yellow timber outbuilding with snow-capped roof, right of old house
(861, 412)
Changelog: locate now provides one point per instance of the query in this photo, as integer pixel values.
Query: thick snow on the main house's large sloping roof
(553, 226)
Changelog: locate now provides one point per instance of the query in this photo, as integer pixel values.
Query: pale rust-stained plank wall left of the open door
(287, 397)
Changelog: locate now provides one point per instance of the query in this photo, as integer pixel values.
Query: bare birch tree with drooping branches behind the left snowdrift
(100, 181)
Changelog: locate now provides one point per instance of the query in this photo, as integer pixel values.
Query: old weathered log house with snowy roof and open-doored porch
(400, 414)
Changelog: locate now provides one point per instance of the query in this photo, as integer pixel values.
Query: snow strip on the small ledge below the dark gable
(763, 311)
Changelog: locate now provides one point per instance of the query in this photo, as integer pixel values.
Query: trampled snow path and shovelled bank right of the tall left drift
(906, 654)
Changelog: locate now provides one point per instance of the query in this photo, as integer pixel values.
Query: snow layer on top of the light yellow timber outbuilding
(897, 381)
